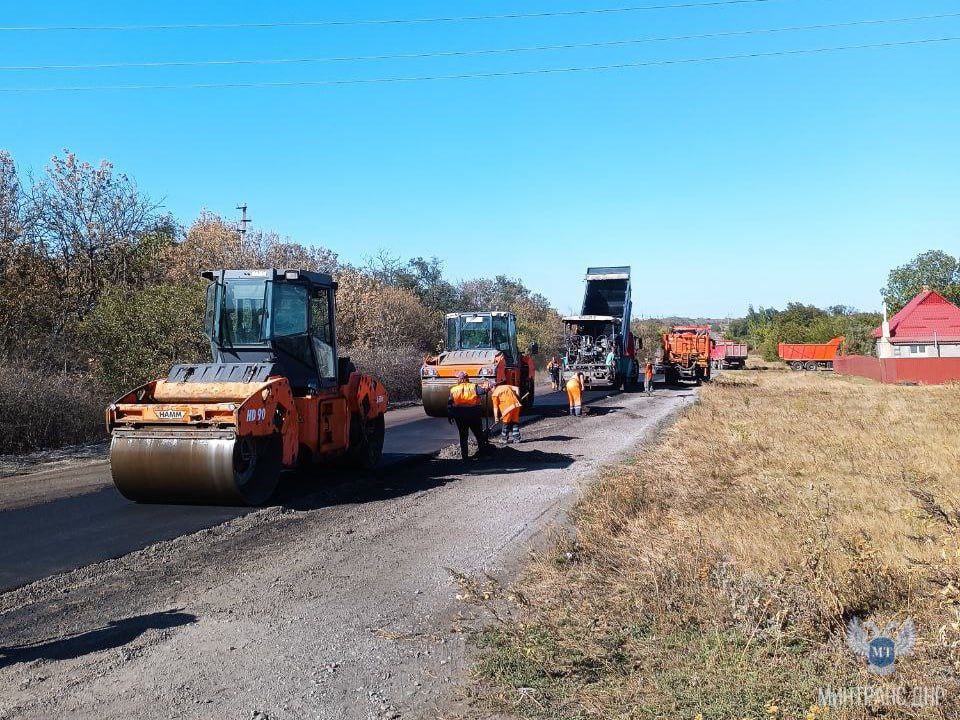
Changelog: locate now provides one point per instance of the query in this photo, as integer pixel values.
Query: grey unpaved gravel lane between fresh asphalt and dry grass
(336, 604)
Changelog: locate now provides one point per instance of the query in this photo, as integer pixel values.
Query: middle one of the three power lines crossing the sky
(461, 53)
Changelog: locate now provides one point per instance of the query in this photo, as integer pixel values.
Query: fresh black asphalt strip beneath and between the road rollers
(67, 533)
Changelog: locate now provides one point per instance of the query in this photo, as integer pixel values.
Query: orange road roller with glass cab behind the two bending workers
(483, 345)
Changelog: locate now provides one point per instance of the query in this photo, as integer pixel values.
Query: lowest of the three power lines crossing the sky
(474, 76)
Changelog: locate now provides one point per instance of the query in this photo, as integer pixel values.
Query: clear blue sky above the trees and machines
(745, 181)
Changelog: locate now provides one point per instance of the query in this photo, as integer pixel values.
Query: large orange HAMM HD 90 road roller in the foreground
(275, 396)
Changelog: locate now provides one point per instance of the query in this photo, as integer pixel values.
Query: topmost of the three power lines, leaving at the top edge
(377, 21)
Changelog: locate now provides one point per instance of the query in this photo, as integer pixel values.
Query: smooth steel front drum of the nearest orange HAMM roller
(194, 467)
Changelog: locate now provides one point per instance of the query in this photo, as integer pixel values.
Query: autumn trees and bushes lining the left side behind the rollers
(100, 291)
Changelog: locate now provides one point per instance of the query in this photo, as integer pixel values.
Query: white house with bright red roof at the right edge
(927, 327)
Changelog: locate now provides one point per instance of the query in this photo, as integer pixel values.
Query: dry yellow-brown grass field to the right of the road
(715, 573)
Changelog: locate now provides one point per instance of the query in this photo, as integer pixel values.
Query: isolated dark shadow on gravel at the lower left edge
(116, 634)
